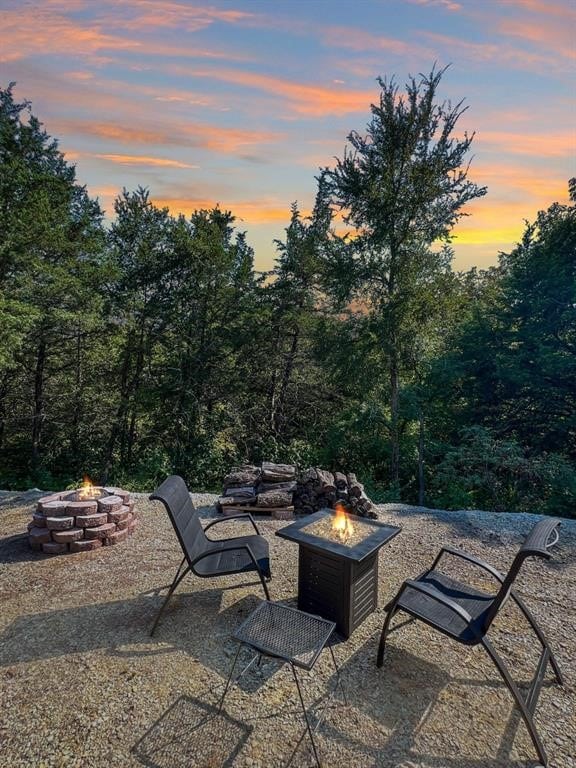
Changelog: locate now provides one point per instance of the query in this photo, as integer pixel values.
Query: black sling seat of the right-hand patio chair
(474, 602)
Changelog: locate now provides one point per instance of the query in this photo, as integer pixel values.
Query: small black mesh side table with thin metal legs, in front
(290, 635)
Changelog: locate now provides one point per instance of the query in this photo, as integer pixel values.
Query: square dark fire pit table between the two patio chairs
(337, 579)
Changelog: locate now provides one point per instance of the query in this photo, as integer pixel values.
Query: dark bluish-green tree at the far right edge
(515, 357)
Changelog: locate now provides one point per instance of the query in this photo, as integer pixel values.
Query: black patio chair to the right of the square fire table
(465, 614)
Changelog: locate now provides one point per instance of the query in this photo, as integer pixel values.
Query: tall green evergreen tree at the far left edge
(51, 248)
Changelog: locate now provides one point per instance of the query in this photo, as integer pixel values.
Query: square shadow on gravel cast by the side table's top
(192, 733)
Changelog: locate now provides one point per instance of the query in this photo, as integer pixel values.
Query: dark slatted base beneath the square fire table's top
(344, 591)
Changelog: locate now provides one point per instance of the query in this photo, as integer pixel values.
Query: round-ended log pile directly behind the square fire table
(319, 488)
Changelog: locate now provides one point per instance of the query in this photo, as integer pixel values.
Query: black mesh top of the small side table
(285, 633)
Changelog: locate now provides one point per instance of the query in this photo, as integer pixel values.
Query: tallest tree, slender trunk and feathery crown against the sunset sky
(402, 188)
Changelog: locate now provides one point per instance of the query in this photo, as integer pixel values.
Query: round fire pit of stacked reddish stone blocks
(81, 521)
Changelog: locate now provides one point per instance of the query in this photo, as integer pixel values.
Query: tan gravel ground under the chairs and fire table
(82, 683)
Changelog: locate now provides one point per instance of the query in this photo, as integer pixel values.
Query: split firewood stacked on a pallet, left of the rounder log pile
(268, 488)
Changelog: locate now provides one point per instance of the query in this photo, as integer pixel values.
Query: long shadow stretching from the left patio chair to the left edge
(122, 629)
